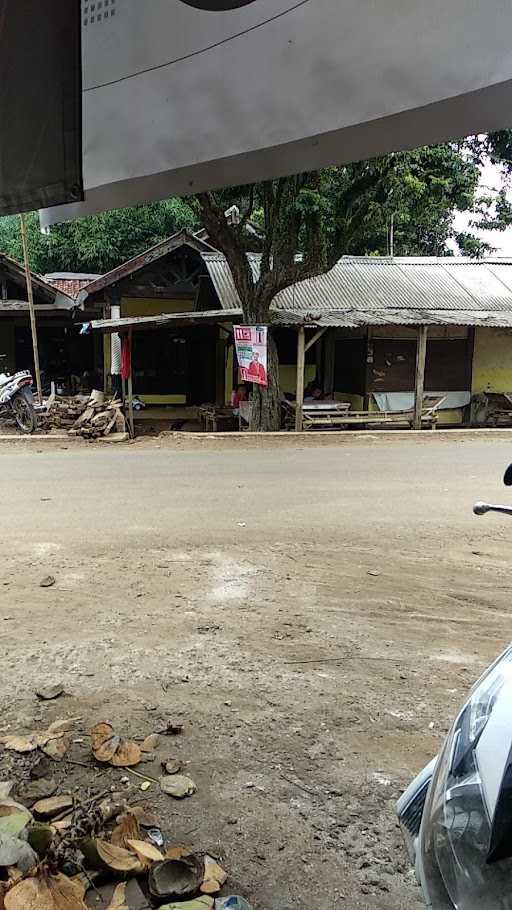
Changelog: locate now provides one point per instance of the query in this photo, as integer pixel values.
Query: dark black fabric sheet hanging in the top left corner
(40, 104)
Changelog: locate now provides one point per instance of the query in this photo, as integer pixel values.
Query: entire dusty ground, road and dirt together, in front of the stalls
(312, 614)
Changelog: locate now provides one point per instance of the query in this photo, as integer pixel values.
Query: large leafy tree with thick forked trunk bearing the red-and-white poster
(309, 220)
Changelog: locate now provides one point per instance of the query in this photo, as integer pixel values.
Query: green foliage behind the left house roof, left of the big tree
(100, 242)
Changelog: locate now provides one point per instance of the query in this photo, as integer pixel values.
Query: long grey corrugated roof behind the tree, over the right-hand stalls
(382, 290)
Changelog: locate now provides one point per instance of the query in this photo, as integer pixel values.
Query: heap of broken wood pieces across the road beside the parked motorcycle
(79, 416)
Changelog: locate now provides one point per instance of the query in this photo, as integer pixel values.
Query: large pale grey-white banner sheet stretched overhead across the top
(195, 94)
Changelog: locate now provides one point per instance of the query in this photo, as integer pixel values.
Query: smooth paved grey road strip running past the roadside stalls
(191, 495)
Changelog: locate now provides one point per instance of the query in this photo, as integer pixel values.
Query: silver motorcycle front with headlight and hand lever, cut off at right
(456, 816)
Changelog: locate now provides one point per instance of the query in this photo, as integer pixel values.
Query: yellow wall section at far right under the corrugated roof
(492, 360)
